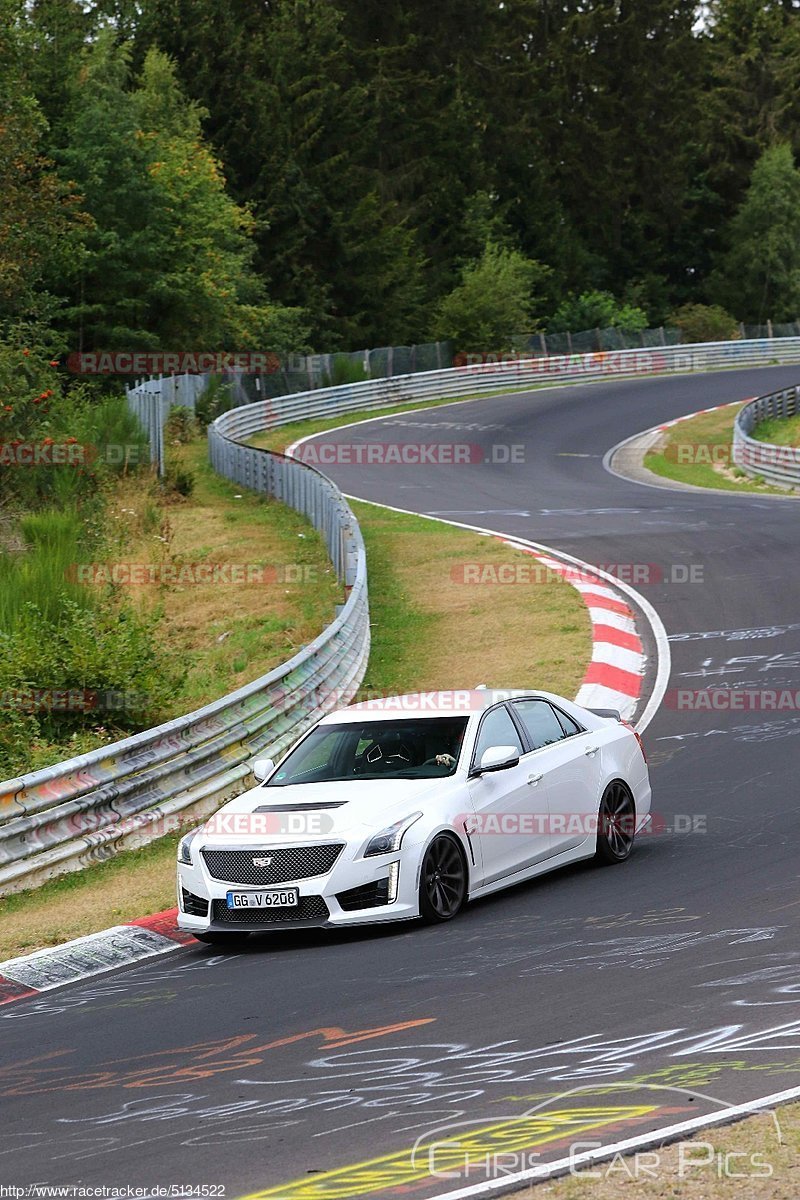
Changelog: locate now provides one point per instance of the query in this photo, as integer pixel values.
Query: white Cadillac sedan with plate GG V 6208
(412, 806)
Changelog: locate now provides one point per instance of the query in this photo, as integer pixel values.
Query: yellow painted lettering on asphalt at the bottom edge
(449, 1157)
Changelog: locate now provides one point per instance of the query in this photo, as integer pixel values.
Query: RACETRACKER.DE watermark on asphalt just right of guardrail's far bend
(408, 454)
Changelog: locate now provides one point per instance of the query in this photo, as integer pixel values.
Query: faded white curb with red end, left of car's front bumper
(91, 956)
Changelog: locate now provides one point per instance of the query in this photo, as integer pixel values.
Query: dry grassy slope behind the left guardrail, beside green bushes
(227, 633)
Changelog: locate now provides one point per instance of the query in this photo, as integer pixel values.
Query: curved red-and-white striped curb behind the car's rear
(616, 673)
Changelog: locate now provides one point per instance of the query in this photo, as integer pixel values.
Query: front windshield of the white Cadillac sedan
(402, 749)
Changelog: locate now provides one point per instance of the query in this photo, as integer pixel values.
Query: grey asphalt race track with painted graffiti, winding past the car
(588, 1006)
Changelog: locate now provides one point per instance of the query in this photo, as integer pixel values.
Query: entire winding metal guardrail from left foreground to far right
(85, 811)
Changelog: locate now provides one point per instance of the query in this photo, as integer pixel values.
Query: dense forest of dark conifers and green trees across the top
(332, 175)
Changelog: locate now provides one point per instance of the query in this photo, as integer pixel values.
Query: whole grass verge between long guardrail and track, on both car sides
(430, 631)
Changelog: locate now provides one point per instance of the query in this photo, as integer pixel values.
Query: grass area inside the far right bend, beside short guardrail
(699, 452)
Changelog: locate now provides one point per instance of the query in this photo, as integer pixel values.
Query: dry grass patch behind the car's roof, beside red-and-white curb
(432, 631)
